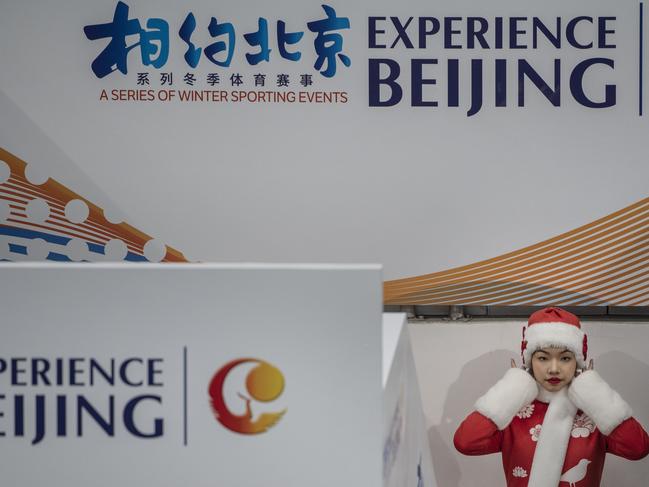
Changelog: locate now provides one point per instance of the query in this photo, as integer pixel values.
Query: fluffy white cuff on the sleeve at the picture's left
(515, 390)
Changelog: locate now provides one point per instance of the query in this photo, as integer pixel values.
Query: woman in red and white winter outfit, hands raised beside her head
(552, 422)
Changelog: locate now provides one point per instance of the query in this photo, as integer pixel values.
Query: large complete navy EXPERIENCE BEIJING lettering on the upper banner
(488, 54)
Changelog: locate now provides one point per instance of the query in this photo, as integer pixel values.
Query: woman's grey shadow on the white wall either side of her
(628, 376)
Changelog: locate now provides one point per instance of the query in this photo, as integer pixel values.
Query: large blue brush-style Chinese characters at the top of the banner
(154, 42)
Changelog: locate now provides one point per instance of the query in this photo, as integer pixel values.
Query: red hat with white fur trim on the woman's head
(554, 328)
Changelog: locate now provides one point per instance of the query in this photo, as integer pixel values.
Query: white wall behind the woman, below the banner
(457, 362)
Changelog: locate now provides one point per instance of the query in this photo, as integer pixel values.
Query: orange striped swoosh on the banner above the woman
(605, 262)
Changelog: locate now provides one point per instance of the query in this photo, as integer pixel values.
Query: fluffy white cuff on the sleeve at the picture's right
(590, 393)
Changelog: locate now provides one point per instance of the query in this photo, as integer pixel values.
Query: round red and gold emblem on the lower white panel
(264, 383)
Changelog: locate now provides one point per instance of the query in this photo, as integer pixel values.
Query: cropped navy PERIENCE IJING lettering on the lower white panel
(61, 397)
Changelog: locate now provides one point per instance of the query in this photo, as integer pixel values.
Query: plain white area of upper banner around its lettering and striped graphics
(329, 182)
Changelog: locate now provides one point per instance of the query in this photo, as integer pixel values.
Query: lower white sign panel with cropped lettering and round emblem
(190, 375)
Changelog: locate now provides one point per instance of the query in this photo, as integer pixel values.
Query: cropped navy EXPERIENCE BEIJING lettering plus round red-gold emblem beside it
(45, 398)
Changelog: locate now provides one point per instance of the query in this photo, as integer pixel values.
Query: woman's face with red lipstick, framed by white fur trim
(553, 368)
